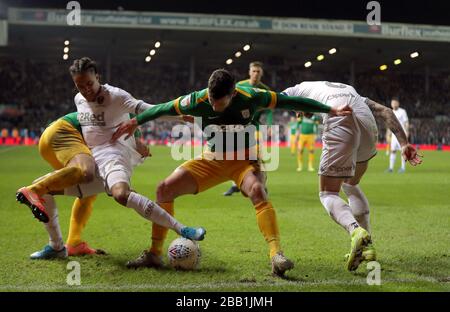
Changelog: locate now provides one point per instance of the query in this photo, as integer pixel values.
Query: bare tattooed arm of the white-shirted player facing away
(409, 152)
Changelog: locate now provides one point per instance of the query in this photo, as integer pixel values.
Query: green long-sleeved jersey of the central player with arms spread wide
(240, 113)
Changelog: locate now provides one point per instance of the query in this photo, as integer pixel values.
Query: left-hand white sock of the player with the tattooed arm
(339, 210)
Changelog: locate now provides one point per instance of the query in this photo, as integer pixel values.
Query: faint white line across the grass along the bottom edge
(212, 286)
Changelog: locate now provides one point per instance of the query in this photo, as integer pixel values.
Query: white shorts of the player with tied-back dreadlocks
(116, 163)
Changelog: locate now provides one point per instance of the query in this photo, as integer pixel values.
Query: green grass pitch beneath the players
(410, 222)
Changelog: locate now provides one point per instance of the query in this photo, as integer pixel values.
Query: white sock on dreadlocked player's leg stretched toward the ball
(151, 211)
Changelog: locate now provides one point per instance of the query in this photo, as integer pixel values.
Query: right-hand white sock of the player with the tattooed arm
(358, 204)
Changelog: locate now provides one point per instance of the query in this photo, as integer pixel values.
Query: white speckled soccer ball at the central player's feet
(184, 254)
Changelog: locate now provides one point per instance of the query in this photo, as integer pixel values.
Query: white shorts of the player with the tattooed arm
(347, 141)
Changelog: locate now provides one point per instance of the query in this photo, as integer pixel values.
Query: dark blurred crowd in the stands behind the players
(34, 93)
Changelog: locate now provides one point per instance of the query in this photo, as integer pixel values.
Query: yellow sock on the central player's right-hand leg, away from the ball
(267, 222)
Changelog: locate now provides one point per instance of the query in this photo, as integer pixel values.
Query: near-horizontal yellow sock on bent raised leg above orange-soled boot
(58, 180)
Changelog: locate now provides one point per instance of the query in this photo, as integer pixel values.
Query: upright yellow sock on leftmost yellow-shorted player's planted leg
(81, 211)
